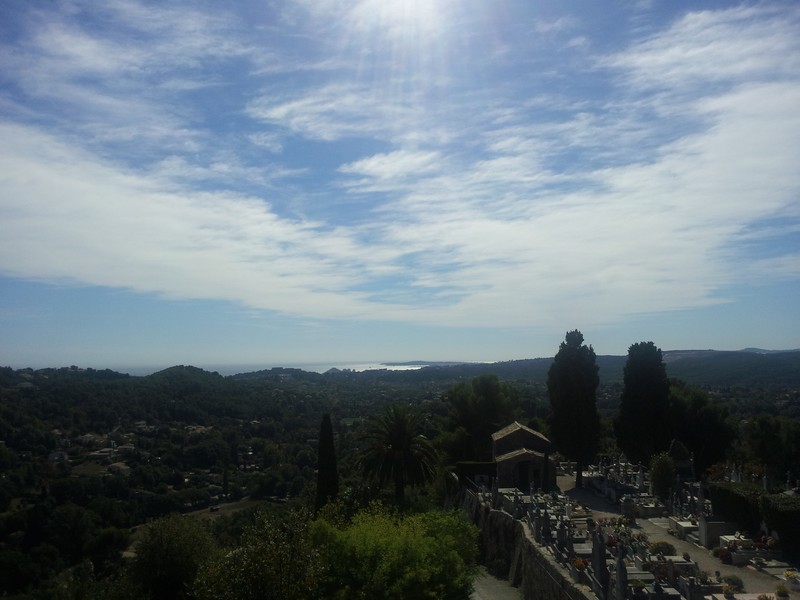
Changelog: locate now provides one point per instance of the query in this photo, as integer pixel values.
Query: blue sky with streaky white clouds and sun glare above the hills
(272, 182)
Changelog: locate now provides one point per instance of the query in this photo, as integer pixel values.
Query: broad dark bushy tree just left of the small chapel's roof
(481, 407)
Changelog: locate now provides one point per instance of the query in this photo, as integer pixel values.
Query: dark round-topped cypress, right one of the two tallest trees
(643, 423)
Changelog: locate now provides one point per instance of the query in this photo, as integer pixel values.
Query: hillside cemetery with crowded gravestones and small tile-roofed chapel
(613, 539)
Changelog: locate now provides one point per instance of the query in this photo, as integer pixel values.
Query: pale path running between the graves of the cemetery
(754, 581)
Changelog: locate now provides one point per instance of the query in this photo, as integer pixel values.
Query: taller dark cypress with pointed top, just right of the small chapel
(572, 385)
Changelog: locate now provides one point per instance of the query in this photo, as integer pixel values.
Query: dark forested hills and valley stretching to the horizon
(89, 456)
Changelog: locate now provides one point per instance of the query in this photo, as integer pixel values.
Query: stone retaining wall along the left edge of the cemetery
(508, 550)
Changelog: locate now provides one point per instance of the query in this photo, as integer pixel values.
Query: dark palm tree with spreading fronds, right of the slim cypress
(394, 450)
